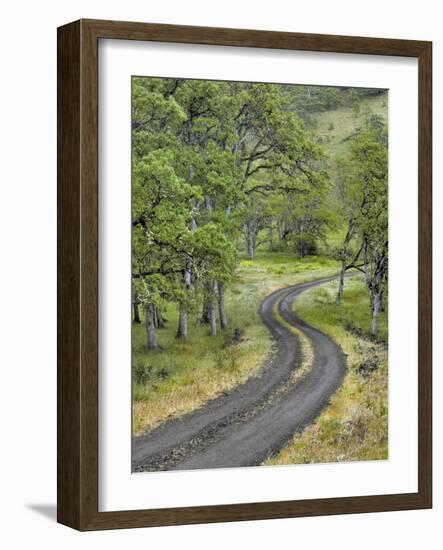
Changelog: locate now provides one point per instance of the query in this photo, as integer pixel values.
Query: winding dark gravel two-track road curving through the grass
(250, 423)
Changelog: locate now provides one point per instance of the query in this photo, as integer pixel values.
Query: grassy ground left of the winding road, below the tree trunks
(183, 376)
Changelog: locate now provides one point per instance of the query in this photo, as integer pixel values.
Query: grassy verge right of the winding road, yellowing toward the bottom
(355, 425)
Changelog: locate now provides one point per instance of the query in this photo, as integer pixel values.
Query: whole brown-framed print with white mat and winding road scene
(244, 275)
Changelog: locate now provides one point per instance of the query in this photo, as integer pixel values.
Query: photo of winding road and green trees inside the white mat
(259, 274)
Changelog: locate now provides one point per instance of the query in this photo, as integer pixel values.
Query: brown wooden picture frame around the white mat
(77, 457)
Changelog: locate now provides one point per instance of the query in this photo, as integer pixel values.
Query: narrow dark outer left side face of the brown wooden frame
(68, 276)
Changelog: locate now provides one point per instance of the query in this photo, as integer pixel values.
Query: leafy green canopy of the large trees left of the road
(211, 160)
